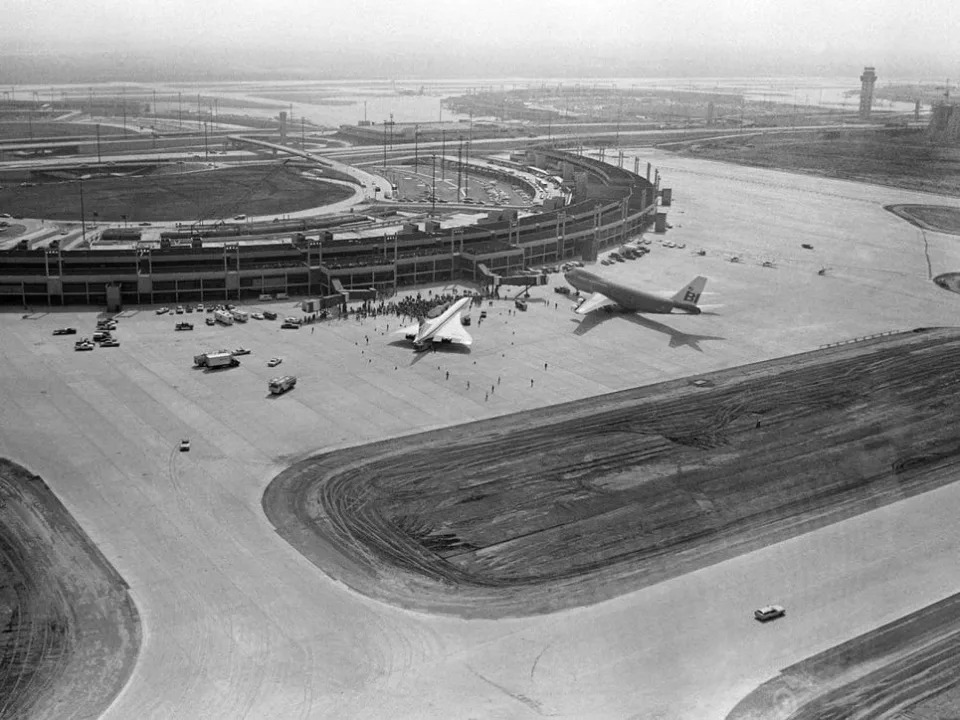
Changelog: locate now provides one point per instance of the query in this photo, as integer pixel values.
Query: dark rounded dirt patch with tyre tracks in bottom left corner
(70, 632)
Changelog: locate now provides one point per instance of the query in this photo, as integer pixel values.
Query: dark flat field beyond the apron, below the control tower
(898, 158)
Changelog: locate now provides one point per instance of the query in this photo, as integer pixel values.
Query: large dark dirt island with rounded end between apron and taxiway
(577, 502)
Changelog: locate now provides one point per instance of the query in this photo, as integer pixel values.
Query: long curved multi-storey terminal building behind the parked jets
(606, 205)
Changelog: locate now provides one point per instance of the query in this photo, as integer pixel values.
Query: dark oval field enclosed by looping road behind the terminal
(221, 193)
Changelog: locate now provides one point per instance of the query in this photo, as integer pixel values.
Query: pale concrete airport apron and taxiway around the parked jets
(237, 624)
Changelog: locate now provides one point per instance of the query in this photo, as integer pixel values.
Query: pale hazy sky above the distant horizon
(723, 34)
